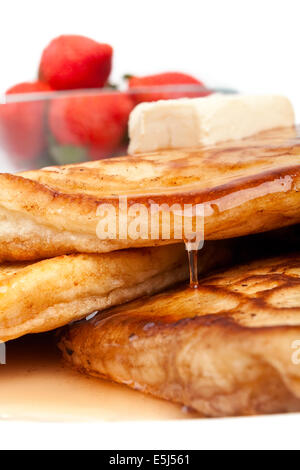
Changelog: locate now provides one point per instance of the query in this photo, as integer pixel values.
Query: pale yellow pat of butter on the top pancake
(193, 122)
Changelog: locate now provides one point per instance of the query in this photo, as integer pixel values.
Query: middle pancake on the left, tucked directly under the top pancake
(48, 294)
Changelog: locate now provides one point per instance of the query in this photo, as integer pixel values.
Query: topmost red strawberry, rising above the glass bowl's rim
(70, 62)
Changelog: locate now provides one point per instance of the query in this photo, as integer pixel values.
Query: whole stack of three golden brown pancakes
(228, 347)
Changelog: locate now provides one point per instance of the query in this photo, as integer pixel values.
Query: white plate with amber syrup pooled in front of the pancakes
(42, 403)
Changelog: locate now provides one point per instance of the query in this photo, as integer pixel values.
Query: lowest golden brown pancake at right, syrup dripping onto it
(231, 347)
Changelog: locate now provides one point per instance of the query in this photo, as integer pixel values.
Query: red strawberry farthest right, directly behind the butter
(165, 79)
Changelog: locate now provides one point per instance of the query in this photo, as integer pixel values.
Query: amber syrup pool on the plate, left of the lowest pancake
(36, 385)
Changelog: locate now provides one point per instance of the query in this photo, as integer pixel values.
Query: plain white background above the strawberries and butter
(249, 45)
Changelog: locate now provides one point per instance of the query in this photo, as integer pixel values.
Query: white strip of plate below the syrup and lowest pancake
(271, 432)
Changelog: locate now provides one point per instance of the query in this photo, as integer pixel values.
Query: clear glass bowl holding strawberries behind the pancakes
(65, 127)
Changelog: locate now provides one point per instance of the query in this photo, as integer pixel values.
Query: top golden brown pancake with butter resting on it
(246, 186)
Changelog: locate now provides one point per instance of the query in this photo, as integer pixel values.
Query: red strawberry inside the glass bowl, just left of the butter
(96, 122)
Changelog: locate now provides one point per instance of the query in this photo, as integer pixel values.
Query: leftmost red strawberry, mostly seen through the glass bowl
(22, 130)
